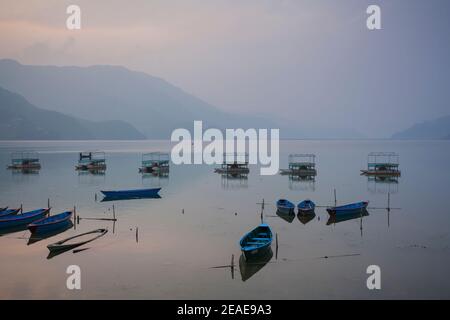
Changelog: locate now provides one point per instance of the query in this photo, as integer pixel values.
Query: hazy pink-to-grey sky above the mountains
(312, 61)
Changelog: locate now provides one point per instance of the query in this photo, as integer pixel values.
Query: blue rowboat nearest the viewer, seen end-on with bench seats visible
(256, 242)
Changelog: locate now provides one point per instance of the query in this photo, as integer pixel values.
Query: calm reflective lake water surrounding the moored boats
(175, 251)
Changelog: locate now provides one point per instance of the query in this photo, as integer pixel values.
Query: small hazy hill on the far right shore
(433, 129)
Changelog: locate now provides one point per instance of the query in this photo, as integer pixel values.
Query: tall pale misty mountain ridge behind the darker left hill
(154, 106)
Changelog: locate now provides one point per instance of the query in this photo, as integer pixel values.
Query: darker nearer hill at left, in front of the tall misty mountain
(20, 120)
